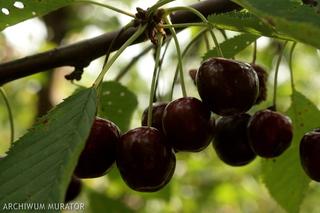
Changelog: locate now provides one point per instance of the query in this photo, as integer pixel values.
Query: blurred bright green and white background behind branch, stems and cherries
(201, 183)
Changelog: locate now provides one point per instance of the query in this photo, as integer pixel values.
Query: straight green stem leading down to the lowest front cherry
(154, 78)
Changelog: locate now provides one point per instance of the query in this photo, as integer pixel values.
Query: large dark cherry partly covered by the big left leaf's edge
(99, 153)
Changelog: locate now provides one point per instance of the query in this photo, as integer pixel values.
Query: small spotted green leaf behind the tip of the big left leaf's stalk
(117, 104)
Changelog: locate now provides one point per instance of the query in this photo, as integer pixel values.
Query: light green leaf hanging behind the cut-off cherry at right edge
(284, 176)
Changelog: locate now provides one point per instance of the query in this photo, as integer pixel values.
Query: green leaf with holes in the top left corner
(13, 12)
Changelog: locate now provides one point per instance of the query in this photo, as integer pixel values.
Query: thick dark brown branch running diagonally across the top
(80, 54)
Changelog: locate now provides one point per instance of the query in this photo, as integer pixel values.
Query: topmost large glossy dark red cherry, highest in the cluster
(227, 86)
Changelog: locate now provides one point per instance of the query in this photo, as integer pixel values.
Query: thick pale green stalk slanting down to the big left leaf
(139, 31)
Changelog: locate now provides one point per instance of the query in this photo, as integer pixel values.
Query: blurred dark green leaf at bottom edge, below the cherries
(102, 203)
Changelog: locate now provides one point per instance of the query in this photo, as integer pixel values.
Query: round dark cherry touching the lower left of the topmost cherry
(187, 124)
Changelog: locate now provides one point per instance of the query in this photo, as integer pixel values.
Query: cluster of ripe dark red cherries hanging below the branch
(145, 156)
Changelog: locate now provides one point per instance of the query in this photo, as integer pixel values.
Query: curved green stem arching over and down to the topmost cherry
(210, 27)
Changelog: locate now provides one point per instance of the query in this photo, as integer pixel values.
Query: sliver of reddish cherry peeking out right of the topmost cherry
(263, 77)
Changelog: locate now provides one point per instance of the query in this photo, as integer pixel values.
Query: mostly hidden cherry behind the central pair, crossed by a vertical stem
(157, 112)
